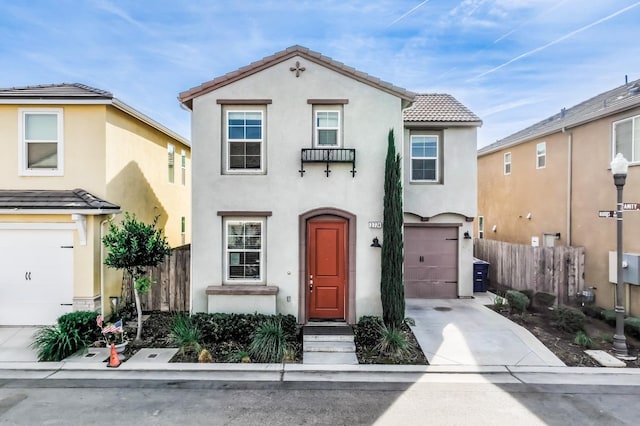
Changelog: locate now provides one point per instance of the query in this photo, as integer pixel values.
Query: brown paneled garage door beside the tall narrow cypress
(431, 262)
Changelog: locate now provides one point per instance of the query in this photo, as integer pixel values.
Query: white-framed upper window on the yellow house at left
(41, 145)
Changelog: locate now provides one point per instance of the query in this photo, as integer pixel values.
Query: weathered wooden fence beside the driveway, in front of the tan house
(556, 270)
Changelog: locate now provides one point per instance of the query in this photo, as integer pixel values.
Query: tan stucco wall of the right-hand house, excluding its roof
(506, 200)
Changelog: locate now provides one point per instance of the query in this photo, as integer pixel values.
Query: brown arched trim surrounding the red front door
(327, 212)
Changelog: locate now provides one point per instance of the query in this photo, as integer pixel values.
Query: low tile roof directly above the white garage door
(77, 199)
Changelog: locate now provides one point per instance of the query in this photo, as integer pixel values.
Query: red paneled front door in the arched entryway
(326, 269)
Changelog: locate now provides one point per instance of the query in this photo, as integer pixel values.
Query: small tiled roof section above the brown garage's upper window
(440, 108)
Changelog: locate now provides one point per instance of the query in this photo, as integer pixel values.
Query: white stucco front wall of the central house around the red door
(367, 119)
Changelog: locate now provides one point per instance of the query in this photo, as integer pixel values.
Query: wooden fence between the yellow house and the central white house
(171, 288)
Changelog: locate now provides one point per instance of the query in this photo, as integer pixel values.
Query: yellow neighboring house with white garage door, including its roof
(73, 158)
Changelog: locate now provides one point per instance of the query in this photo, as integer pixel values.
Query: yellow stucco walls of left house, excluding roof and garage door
(100, 146)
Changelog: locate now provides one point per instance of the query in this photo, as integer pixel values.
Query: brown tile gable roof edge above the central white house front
(187, 97)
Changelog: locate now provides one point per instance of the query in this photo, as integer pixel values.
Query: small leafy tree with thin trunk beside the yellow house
(133, 247)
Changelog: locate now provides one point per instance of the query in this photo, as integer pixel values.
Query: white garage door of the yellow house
(36, 275)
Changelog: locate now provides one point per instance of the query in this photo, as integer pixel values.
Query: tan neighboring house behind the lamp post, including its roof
(545, 185)
